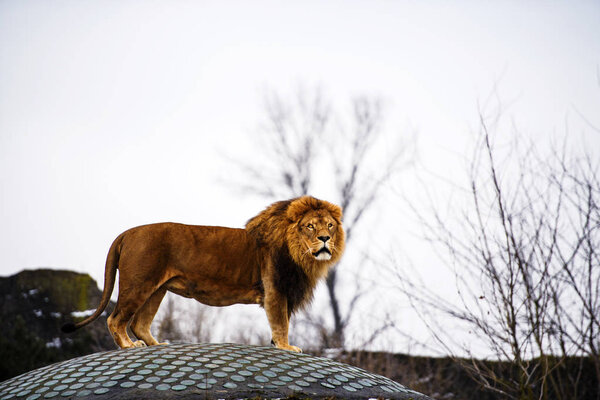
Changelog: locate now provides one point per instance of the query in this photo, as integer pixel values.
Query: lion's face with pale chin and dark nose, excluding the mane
(318, 233)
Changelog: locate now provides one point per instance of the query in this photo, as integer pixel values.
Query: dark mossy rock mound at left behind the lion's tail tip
(34, 304)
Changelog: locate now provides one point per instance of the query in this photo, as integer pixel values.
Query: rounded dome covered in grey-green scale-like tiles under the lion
(212, 371)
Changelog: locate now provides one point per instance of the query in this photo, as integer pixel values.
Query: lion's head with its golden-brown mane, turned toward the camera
(310, 228)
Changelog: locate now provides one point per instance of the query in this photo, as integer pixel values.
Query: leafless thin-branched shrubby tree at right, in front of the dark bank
(524, 254)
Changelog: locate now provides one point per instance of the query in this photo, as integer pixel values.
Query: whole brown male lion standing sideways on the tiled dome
(276, 262)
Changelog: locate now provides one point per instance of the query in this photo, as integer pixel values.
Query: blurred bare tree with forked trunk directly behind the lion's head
(305, 138)
